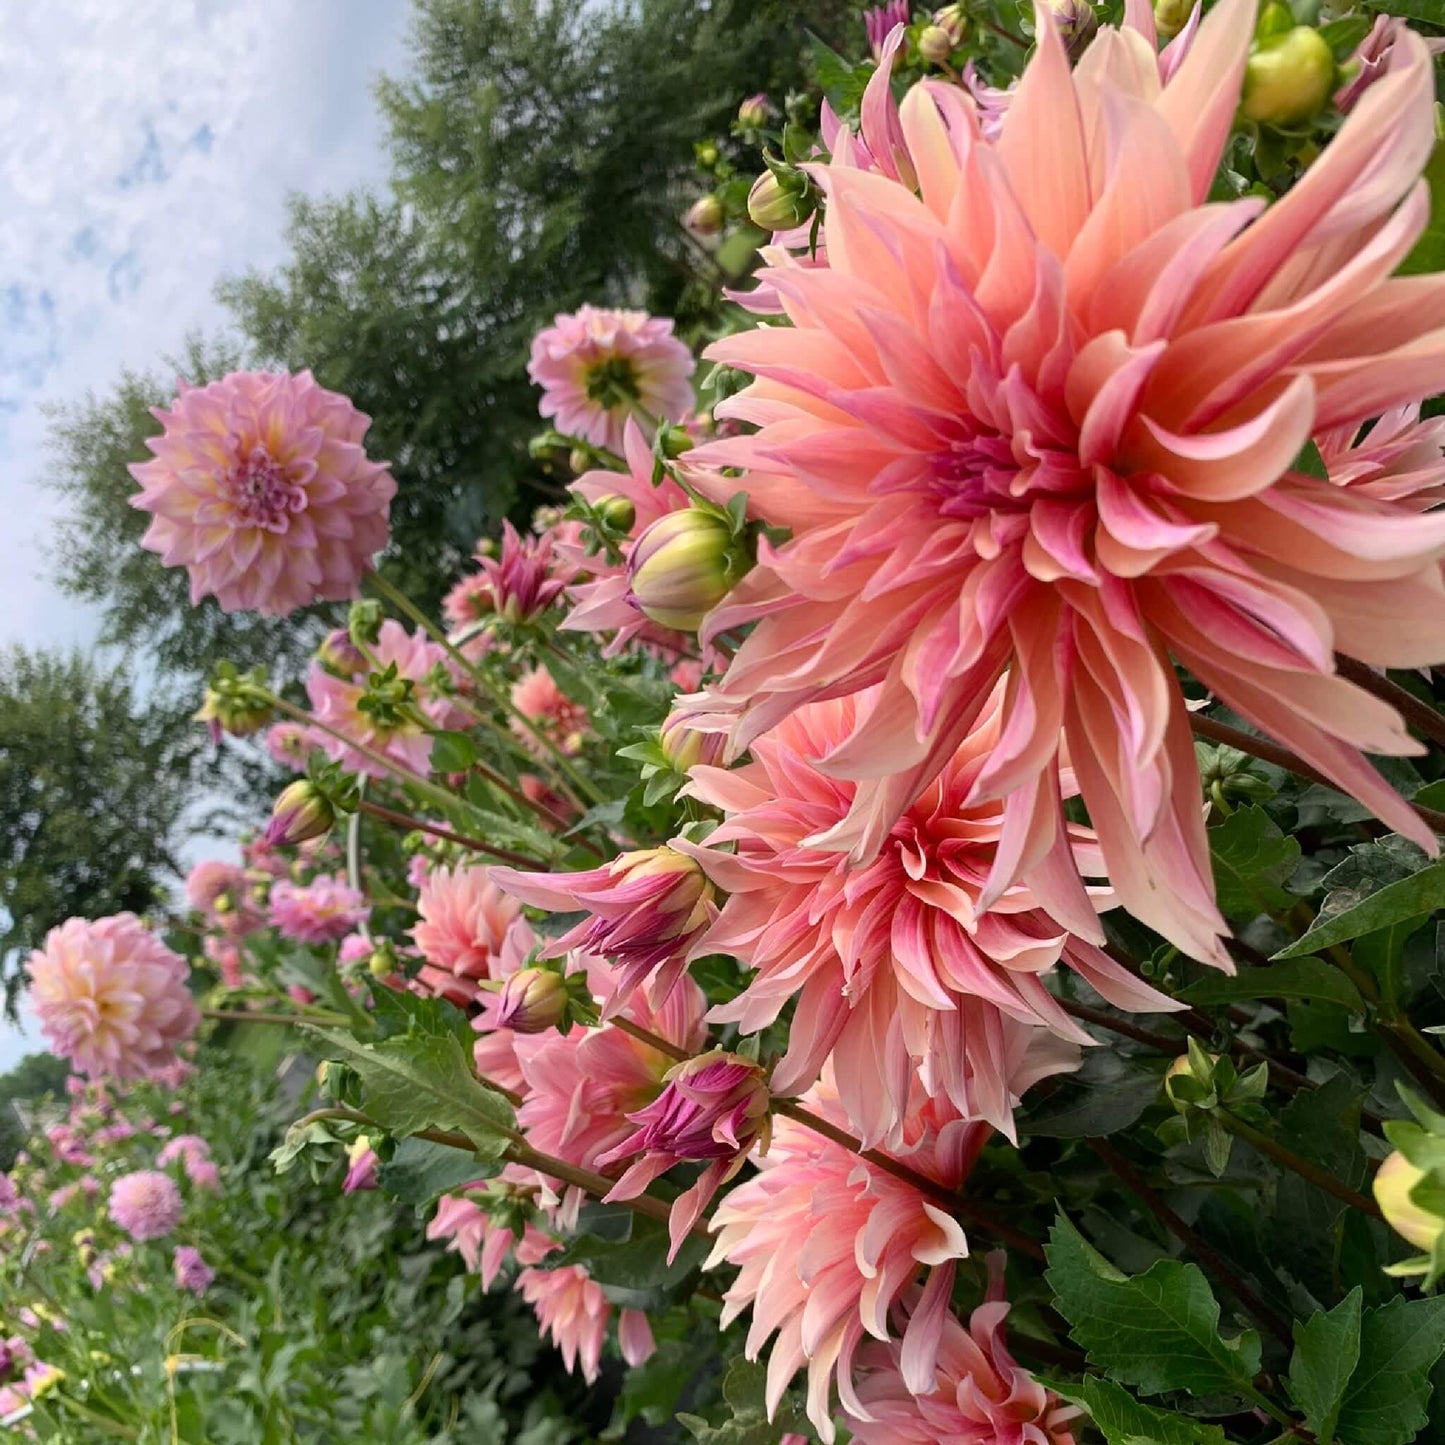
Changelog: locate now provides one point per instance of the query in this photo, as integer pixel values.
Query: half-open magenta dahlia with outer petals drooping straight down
(713, 1110)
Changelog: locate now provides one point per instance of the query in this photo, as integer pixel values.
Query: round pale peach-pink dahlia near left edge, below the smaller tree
(112, 998)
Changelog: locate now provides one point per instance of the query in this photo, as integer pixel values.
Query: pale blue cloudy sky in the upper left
(148, 150)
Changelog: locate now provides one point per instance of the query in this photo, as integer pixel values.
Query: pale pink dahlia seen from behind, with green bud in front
(337, 704)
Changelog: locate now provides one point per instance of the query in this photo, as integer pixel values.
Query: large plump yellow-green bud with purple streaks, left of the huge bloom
(683, 567)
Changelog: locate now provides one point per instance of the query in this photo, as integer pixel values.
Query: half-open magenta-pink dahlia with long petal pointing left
(647, 910)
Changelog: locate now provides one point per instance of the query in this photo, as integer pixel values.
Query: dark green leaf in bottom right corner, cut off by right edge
(1391, 1388)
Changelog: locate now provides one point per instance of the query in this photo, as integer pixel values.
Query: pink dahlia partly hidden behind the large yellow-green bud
(602, 590)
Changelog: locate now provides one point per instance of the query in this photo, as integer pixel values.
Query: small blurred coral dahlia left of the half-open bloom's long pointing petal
(469, 931)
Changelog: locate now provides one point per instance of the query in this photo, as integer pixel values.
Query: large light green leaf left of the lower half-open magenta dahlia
(424, 1082)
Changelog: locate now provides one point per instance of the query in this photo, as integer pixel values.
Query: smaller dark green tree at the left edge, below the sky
(96, 782)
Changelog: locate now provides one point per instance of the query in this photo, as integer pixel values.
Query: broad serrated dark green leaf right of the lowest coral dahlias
(1158, 1332)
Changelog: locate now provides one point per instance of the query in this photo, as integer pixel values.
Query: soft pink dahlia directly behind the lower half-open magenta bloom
(582, 1087)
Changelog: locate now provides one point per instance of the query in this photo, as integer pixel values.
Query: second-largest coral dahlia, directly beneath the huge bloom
(902, 967)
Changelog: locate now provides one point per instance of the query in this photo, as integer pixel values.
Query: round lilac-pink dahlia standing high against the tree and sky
(262, 491)
